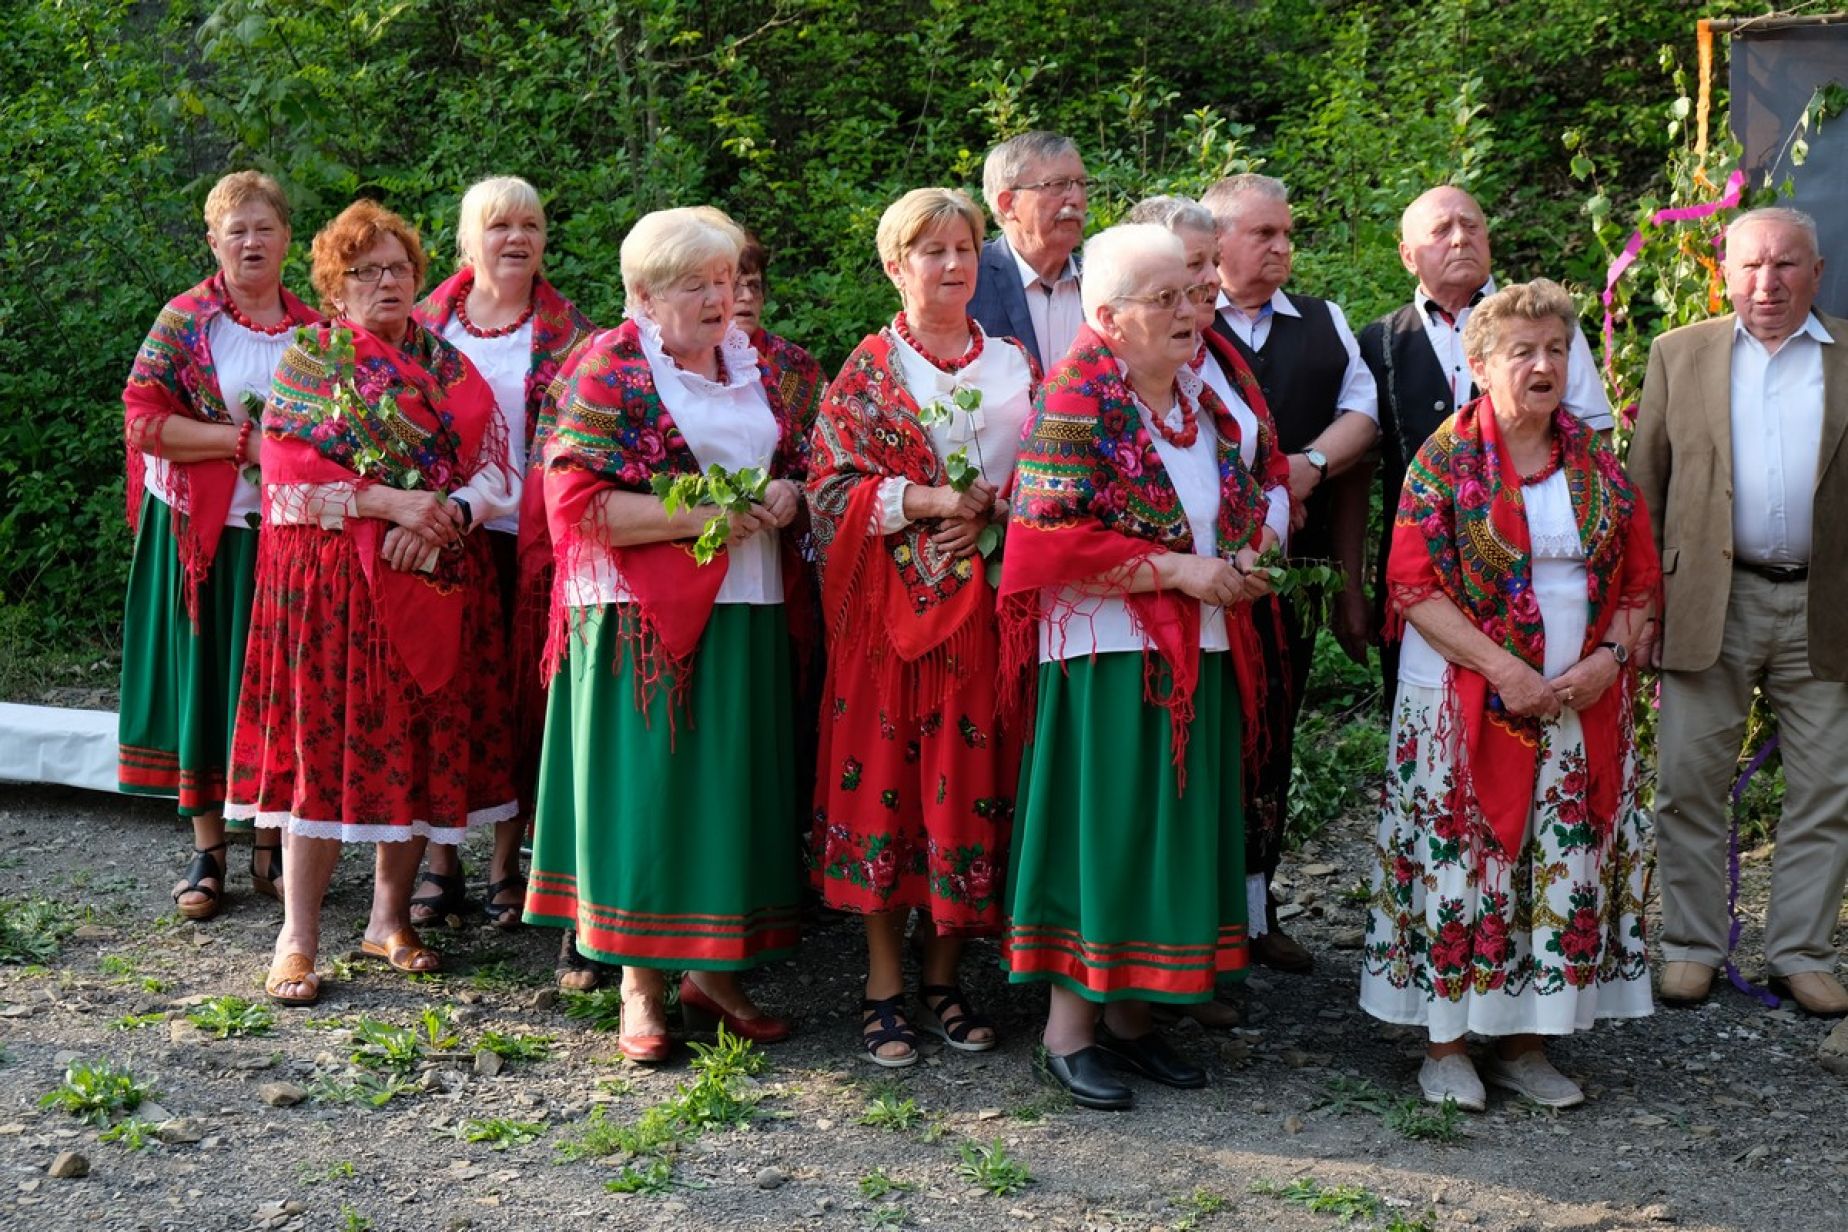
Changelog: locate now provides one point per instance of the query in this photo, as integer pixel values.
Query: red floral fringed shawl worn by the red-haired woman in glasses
(444, 433)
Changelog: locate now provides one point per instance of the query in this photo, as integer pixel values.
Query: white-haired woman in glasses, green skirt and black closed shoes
(1128, 579)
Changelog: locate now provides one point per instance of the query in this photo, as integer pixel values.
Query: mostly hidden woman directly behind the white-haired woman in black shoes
(1232, 380)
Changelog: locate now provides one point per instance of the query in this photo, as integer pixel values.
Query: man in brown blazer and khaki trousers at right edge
(1740, 455)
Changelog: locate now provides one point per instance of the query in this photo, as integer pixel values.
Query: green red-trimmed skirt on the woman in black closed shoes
(1121, 889)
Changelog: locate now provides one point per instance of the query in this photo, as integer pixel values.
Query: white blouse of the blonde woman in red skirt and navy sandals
(991, 433)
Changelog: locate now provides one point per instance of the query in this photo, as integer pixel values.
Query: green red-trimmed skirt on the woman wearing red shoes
(672, 845)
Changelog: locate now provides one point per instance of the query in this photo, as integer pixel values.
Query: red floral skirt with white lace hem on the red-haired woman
(334, 736)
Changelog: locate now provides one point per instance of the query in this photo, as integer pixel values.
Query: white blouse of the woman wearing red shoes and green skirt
(727, 424)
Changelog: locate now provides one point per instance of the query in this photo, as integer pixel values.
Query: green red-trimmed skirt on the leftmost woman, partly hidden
(180, 684)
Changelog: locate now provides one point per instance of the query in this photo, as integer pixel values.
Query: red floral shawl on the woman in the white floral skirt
(1461, 535)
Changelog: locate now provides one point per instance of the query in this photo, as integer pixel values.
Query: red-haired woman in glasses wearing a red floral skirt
(376, 701)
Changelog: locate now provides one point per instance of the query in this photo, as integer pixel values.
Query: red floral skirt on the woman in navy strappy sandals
(916, 799)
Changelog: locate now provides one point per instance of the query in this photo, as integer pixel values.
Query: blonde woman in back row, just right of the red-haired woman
(502, 313)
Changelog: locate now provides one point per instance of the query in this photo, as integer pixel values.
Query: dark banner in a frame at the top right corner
(1775, 73)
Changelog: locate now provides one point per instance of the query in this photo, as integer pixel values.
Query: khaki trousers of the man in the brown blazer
(1703, 727)
